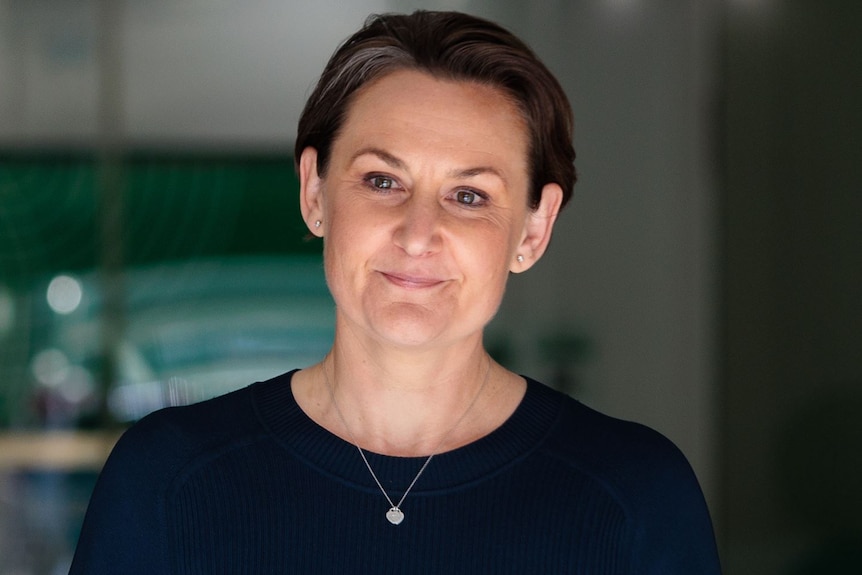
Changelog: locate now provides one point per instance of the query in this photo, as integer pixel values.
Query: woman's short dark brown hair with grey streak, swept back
(454, 46)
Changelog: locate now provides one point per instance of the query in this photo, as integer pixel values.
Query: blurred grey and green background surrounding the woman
(705, 279)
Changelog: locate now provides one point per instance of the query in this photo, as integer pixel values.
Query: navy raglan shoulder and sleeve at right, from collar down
(650, 479)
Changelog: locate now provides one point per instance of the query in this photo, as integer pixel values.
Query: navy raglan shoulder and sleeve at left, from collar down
(153, 456)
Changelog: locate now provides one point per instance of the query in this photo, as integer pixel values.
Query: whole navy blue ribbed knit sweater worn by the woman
(247, 484)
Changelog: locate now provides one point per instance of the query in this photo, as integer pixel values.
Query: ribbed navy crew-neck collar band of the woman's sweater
(513, 440)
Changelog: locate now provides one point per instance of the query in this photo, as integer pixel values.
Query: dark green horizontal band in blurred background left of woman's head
(174, 207)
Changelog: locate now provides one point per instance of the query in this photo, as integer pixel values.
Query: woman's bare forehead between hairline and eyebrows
(410, 107)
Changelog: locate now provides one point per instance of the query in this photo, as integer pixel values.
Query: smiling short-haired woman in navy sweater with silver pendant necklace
(434, 156)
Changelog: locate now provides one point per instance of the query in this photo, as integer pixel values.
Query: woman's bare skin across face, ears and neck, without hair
(424, 212)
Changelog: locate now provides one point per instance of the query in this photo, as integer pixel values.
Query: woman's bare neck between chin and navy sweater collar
(402, 401)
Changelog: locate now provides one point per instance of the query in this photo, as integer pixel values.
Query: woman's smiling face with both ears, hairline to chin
(424, 209)
